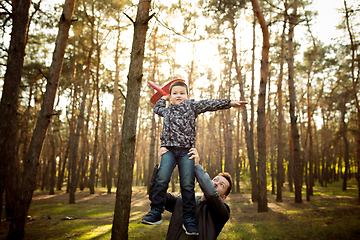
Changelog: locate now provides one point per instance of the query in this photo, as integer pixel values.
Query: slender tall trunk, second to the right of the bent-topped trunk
(294, 129)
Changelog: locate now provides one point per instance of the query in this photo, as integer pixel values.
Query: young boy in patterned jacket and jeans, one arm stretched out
(179, 136)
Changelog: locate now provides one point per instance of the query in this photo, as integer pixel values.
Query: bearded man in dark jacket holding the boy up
(211, 211)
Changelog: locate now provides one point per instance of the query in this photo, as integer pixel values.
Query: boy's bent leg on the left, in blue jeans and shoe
(166, 168)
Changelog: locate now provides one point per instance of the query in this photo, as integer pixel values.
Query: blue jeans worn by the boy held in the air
(179, 156)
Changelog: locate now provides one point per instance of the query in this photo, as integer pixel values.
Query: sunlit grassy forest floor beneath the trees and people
(330, 214)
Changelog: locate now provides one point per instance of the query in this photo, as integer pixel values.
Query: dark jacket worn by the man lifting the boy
(211, 214)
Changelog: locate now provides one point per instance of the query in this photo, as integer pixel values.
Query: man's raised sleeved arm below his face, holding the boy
(210, 192)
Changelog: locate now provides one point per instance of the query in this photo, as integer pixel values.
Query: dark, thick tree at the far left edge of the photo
(9, 171)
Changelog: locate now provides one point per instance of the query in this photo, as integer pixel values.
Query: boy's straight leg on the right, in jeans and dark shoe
(187, 184)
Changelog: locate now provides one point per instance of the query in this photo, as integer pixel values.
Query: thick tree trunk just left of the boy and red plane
(128, 137)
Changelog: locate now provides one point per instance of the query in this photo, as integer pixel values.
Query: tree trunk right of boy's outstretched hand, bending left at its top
(261, 127)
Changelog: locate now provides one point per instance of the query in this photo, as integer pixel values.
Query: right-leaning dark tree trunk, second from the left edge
(28, 184)
